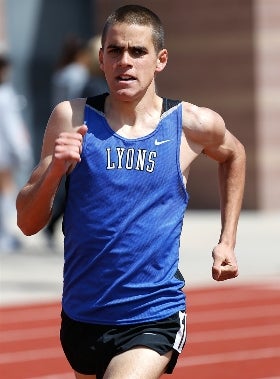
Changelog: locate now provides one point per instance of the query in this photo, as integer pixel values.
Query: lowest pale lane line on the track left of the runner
(31, 355)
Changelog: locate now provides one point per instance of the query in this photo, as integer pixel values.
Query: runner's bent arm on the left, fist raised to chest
(60, 152)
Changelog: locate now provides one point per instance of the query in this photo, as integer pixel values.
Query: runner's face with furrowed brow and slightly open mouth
(129, 60)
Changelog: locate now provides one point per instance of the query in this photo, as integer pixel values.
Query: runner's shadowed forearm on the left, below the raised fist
(34, 202)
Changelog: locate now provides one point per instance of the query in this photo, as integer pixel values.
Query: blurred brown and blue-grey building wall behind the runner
(224, 55)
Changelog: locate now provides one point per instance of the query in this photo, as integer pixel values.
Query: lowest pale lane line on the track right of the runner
(233, 356)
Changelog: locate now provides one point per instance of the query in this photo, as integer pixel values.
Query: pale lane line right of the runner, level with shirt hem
(243, 313)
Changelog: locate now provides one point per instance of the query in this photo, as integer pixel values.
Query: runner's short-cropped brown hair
(138, 15)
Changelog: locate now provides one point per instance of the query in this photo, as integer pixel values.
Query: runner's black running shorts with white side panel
(89, 348)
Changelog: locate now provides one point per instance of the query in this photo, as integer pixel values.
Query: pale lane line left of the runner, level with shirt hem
(20, 316)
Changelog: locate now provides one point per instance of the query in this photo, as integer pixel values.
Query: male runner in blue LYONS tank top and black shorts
(127, 157)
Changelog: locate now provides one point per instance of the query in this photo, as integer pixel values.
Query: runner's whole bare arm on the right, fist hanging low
(219, 144)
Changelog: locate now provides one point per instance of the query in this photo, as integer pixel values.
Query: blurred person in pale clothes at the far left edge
(16, 155)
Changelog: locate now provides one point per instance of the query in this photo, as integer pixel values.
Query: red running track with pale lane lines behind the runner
(233, 333)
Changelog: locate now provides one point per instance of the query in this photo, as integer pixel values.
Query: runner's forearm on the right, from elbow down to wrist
(231, 182)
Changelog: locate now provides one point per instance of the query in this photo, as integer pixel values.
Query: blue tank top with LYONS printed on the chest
(124, 212)
